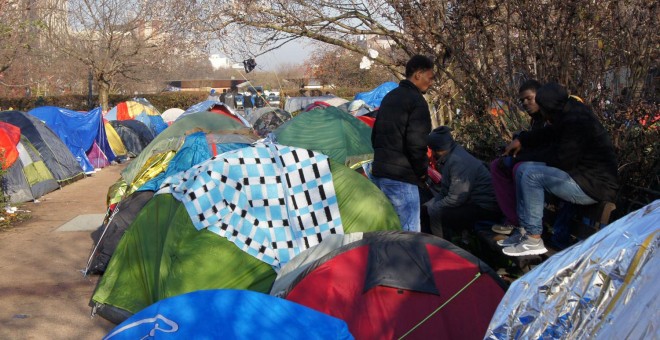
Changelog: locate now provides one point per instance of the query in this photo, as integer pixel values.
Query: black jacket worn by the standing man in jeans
(399, 135)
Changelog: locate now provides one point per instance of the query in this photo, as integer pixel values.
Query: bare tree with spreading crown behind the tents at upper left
(120, 39)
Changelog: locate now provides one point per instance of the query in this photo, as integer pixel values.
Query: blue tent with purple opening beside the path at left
(79, 132)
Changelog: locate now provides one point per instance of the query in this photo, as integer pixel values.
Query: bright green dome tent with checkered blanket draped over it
(163, 254)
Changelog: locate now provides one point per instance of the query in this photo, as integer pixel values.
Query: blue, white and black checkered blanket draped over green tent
(272, 201)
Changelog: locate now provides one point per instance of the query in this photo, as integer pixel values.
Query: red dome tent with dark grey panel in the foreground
(390, 285)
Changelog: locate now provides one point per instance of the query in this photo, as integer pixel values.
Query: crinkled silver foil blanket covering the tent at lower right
(606, 287)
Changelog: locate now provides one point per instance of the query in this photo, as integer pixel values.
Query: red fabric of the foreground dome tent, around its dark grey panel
(336, 288)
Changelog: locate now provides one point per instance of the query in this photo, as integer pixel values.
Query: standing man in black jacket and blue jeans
(399, 141)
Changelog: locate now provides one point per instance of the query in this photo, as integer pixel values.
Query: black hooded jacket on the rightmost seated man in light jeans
(582, 146)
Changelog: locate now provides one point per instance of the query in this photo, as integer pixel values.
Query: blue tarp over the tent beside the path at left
(76, 129)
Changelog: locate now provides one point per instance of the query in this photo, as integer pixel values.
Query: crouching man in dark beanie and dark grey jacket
(466, 192)
